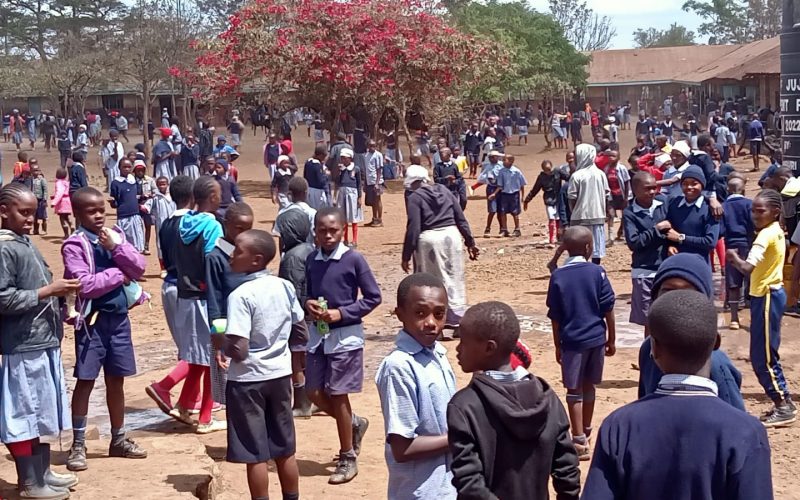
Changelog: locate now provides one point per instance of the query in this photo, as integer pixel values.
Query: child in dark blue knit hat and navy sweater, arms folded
(693, 227)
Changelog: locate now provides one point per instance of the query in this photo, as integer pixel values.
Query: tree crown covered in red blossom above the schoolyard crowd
(331, 54)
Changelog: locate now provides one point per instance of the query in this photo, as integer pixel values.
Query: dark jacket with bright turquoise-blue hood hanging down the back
(199, 232)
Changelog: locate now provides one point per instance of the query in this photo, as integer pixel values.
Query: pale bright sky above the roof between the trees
(629, 15)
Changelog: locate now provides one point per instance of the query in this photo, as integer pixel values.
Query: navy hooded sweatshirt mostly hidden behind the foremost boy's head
(694, 269)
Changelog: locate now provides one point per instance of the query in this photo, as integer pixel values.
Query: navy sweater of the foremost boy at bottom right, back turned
(680, 445)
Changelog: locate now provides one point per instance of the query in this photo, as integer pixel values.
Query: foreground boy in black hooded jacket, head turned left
(508, 431)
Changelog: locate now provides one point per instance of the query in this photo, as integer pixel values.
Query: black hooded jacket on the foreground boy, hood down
(508, 438)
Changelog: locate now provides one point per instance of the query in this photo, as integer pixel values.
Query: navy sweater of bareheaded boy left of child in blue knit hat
(647, 245)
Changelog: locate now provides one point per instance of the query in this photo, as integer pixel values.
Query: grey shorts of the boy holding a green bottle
(337, 373)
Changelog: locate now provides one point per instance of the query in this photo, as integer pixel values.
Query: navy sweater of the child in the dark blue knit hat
(697, 223)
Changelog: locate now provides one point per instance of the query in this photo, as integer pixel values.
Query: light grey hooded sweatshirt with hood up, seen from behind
(588, 188)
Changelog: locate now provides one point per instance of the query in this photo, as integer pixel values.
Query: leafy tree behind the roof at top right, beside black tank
(736, 21)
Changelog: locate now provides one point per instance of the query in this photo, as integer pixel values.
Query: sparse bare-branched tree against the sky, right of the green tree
(585, 29)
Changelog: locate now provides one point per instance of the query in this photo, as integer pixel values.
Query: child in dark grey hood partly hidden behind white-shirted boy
(294, 229)
